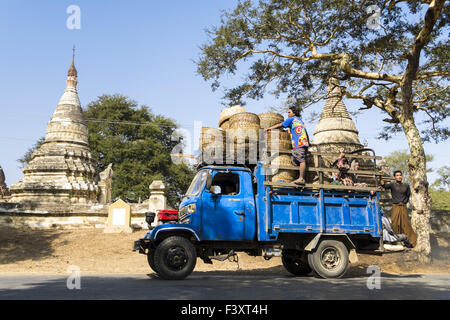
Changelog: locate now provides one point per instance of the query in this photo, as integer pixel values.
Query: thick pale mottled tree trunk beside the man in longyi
(420, 198)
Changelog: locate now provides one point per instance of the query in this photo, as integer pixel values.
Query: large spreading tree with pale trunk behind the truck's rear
(399, 64)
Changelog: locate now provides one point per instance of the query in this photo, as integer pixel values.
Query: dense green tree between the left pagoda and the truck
(138, 143)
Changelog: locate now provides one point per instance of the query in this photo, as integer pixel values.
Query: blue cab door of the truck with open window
(223, 215)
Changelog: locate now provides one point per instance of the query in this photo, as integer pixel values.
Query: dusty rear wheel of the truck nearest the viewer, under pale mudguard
(329, 260)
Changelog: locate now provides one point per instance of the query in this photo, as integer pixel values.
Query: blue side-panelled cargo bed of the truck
(314, 208)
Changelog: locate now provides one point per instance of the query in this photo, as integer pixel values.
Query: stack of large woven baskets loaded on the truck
(237, 140)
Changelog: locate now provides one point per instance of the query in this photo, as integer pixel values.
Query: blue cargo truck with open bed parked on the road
(229, 209)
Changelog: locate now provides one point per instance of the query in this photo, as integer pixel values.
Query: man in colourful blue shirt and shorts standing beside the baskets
(300, 140)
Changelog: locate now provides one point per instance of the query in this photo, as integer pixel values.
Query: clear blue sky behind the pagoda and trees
(142, 49)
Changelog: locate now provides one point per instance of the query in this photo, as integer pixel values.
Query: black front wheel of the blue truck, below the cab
(175, 258)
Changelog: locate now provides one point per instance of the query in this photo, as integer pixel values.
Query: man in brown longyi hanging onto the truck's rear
(400, 197)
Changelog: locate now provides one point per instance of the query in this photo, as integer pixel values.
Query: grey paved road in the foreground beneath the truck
(223, 286)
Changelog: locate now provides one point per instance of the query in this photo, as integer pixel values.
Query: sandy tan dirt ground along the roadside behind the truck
(94, 252)
